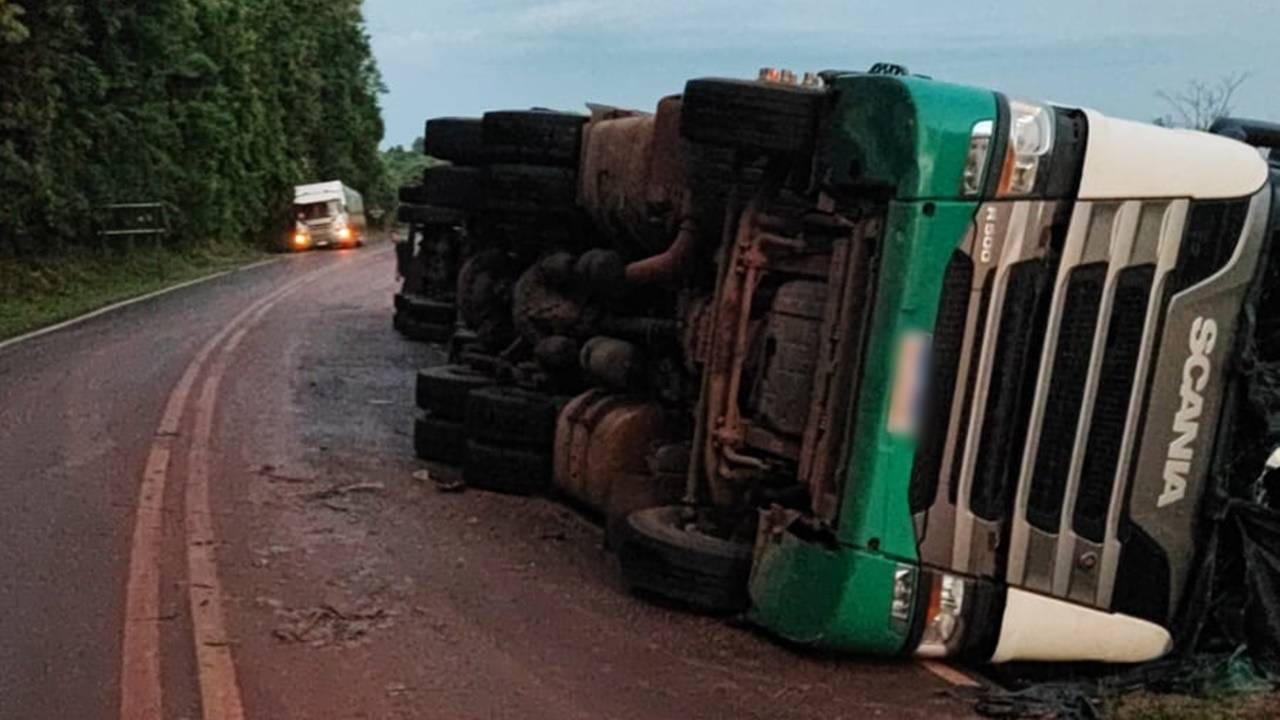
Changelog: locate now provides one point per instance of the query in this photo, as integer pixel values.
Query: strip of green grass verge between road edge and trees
(45, 290)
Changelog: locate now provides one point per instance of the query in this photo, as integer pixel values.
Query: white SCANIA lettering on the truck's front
(1196, 375)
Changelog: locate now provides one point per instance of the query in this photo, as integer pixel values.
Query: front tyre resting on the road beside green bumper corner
(661, 557)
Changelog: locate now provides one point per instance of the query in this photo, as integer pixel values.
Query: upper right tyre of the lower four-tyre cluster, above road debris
(511, 417)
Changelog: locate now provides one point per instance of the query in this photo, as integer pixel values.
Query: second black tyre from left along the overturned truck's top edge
(541, 138)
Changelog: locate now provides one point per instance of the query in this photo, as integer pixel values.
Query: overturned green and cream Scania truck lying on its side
(890, 364)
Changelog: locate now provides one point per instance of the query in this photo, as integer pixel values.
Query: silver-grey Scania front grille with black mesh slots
(1057, 482)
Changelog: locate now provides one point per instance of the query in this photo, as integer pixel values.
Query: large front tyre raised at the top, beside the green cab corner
(753, 116)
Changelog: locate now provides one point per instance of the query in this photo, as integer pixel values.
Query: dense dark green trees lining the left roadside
(214, 107)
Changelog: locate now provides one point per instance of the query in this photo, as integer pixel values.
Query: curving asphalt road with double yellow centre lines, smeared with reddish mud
(232, 466)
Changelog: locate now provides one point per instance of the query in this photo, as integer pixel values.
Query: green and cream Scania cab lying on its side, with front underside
(1020, 377)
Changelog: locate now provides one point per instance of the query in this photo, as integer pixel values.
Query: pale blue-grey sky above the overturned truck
(464, 58)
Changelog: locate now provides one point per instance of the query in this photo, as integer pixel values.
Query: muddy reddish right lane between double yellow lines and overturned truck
(388, 599)
